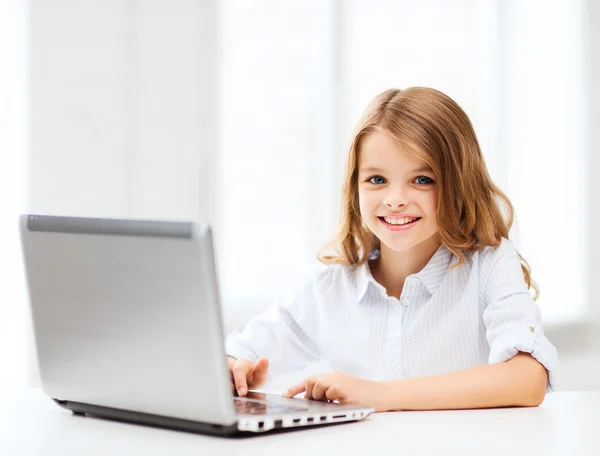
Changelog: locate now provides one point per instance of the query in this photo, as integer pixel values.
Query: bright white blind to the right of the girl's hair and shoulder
(546, 148)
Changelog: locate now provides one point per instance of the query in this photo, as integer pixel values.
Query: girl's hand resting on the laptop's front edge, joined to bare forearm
(345, 389)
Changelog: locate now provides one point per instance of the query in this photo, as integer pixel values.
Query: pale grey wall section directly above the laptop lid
(123, 109)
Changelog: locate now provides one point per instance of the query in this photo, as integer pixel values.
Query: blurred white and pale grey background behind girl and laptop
(240, 112)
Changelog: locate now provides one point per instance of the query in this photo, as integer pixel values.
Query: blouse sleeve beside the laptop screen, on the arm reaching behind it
(283, 333)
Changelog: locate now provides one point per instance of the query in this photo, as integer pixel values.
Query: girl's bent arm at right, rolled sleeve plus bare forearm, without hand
(521, 361)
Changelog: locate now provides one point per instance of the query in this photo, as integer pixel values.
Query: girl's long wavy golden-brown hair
(472, 212)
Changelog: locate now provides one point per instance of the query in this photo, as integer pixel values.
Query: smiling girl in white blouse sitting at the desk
(424, 302)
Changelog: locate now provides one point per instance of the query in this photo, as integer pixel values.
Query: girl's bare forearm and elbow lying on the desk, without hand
(521, 381)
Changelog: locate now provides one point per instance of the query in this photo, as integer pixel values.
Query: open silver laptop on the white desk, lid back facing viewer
(127, 325)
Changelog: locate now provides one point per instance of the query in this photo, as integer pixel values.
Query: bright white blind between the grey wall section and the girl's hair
(266, 195)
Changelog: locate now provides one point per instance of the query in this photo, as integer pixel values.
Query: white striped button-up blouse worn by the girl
(445, 320)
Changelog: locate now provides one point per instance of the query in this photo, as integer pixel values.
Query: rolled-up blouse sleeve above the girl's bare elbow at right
(511, 317)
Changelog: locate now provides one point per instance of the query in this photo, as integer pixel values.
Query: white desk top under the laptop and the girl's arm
(565, 424)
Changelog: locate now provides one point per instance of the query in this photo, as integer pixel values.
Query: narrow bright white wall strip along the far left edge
(13, 157)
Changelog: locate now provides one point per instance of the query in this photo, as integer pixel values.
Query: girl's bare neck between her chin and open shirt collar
(392, 268)
